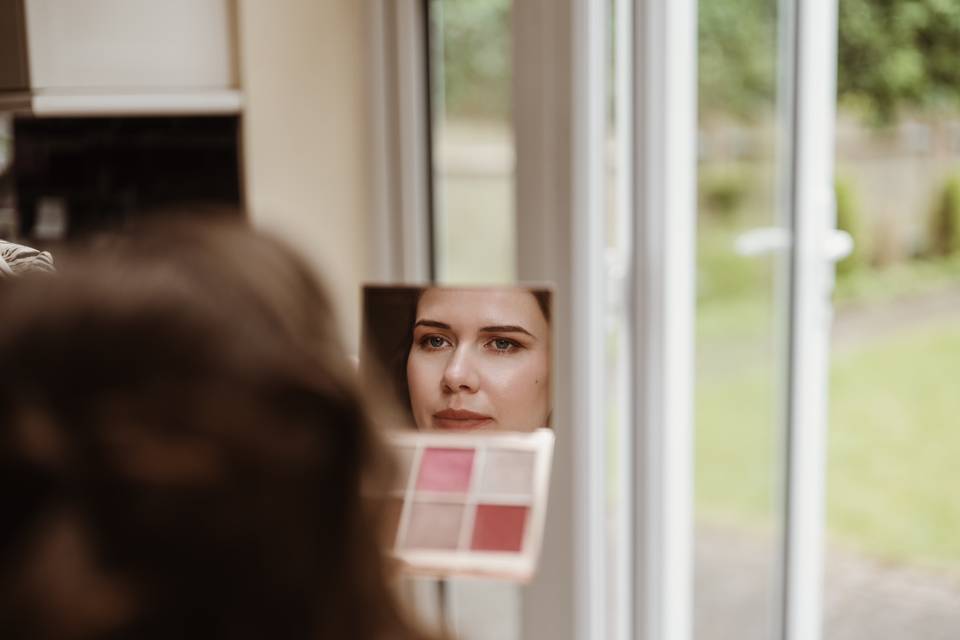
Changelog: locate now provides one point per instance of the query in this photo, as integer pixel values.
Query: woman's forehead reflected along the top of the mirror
(481, 307)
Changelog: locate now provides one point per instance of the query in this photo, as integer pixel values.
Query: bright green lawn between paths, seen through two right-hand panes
(894, 442)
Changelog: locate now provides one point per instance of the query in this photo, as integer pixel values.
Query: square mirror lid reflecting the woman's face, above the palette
(459, 359)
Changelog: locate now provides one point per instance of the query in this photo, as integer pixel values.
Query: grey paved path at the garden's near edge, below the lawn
(864, 599)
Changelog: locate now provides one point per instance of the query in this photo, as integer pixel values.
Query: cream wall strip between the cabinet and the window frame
(305, 76)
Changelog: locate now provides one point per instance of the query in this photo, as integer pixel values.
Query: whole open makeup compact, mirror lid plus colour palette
(466, 375)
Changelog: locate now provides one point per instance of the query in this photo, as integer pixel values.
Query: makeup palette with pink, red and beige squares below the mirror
(470, 503)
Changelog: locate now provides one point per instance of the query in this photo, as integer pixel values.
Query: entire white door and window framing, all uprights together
(559, 126)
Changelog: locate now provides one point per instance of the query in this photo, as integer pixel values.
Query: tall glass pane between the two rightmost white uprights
(741, 321)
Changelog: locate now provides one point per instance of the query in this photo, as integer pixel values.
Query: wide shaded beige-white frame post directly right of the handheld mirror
(559, 106)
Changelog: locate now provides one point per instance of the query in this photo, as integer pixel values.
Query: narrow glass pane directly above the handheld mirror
(473, 150)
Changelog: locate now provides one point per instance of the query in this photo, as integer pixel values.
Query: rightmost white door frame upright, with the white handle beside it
(813, 218)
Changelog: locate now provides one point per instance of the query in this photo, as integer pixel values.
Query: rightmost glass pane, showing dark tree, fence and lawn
(893, 513)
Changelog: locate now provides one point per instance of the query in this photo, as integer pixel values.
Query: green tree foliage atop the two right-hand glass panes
(892, 55)
